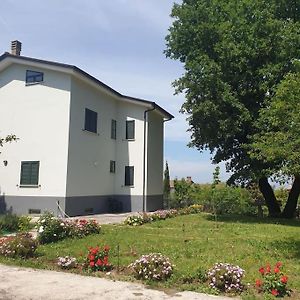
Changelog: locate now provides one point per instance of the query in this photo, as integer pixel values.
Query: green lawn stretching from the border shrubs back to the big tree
(192, 242)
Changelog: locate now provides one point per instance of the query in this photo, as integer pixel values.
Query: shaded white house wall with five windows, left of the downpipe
(90, 153)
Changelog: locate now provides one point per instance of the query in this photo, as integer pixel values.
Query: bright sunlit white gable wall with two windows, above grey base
(39, 116)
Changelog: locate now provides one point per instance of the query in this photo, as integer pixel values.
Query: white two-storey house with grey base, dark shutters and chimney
(82, 145)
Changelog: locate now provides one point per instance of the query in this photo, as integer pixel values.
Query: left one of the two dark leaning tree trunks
(268, 193)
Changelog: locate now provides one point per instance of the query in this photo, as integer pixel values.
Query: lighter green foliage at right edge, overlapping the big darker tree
(278, 142)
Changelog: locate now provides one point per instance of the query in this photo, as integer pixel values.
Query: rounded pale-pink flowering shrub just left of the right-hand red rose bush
(226, 278)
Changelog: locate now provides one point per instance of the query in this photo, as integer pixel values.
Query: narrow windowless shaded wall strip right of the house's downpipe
(155, 154)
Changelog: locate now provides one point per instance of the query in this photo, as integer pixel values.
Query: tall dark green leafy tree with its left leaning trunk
(234, 54)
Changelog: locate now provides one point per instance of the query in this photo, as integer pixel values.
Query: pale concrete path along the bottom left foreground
(28, 284)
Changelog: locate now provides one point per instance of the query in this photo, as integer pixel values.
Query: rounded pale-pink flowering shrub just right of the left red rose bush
(153, 266)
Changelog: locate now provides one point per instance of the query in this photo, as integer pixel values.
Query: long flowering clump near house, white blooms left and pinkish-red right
(51, 229)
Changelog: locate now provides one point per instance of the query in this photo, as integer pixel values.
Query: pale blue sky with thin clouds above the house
(120, 42)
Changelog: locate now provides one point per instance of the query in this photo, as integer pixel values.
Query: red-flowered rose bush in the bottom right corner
(274, 281)
